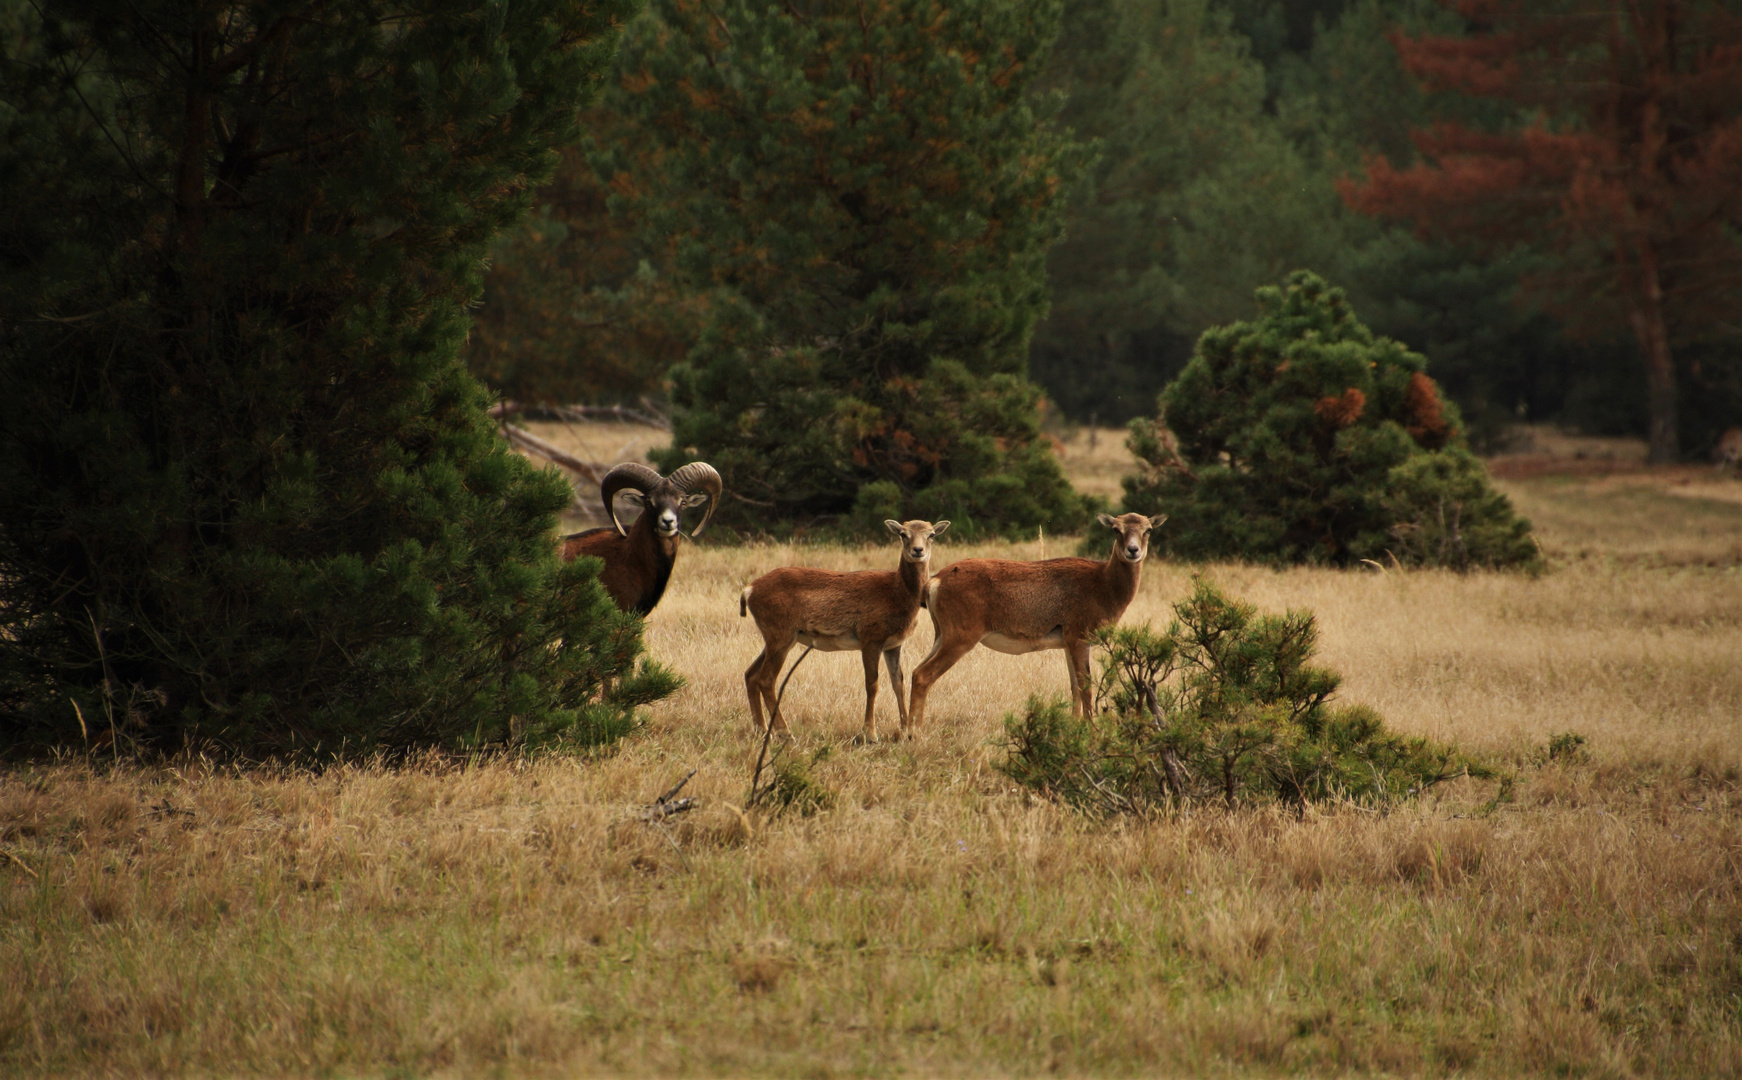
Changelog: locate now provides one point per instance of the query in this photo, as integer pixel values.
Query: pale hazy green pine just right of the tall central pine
(1196, 198)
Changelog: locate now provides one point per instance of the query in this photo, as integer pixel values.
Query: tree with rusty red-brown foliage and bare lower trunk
(1630, 168)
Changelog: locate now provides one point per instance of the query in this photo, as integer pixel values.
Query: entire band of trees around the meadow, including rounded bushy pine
(250, 496)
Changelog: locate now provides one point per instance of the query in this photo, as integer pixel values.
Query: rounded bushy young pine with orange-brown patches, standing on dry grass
(1302, 436)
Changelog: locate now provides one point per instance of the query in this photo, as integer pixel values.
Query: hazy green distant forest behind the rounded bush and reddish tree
(1224, 132)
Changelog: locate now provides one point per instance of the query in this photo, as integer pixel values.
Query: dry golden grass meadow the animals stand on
(513, 917)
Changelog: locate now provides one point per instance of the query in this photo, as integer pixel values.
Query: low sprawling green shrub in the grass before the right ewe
(1224, 705)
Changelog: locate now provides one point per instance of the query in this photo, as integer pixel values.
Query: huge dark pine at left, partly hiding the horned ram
(248, 494)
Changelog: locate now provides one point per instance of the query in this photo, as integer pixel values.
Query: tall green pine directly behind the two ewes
(865, 198)
